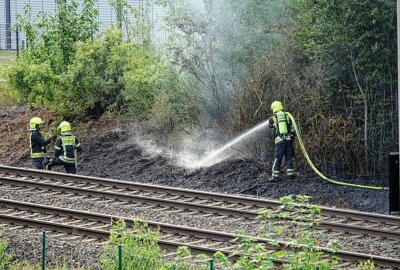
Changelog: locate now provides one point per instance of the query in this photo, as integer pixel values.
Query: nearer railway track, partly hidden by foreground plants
(67, 222)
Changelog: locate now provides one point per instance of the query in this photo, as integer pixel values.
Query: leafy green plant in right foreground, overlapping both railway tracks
(300, 254)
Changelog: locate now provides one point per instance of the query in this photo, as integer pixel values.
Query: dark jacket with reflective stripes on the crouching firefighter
(65, 148)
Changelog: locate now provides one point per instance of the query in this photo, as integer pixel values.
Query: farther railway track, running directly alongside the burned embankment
(161, 198)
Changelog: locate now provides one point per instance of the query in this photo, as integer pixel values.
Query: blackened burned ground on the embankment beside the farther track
(114, 153)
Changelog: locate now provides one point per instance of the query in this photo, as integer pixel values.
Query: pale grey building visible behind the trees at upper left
(10, 8)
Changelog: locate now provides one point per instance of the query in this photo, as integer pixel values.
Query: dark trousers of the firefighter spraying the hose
(283, 149)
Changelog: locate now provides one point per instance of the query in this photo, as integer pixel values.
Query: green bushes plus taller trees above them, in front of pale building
(68, 69)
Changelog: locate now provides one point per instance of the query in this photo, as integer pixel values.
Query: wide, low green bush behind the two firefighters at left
(107, 75)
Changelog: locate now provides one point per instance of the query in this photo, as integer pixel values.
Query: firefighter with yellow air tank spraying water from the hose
(284, 135)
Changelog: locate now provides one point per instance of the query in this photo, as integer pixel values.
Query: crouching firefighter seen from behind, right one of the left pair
(66, 146)
